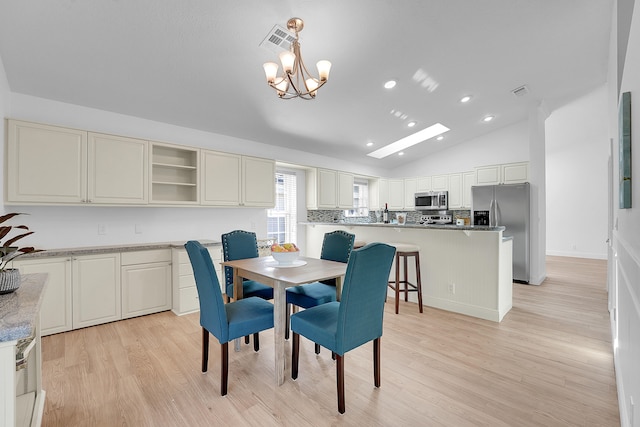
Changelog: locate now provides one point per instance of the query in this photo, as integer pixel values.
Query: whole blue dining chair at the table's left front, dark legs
(225, 321)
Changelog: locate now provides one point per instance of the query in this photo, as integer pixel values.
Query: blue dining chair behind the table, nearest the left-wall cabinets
(240, 244)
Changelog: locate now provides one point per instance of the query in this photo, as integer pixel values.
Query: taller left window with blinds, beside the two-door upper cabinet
(282, 219)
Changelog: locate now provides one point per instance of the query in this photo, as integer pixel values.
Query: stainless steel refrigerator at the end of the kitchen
(506, 205)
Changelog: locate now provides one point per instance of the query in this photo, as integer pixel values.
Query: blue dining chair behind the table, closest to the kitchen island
(336, 246)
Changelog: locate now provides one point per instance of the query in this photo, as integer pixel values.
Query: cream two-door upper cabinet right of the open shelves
(248, 181)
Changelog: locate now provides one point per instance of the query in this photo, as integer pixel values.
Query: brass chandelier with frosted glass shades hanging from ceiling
(295, 81)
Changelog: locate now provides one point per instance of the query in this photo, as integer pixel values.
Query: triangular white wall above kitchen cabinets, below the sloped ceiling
(506, 145)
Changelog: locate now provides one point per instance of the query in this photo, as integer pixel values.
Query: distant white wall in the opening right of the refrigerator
(577, 152)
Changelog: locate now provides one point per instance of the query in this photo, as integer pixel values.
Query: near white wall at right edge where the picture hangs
(626, 237)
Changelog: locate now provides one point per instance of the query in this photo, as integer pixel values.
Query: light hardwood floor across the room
(548, 363)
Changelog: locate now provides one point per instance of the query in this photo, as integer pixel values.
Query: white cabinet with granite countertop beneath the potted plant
(21, 393)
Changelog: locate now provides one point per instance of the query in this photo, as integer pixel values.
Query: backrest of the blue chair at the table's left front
(213, 316)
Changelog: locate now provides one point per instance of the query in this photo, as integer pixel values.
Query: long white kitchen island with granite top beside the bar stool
(464, 269)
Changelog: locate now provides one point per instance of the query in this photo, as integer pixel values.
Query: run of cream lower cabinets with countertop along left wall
(87, 290)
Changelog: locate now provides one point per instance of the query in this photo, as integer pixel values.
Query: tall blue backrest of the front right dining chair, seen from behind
(363, 295)
